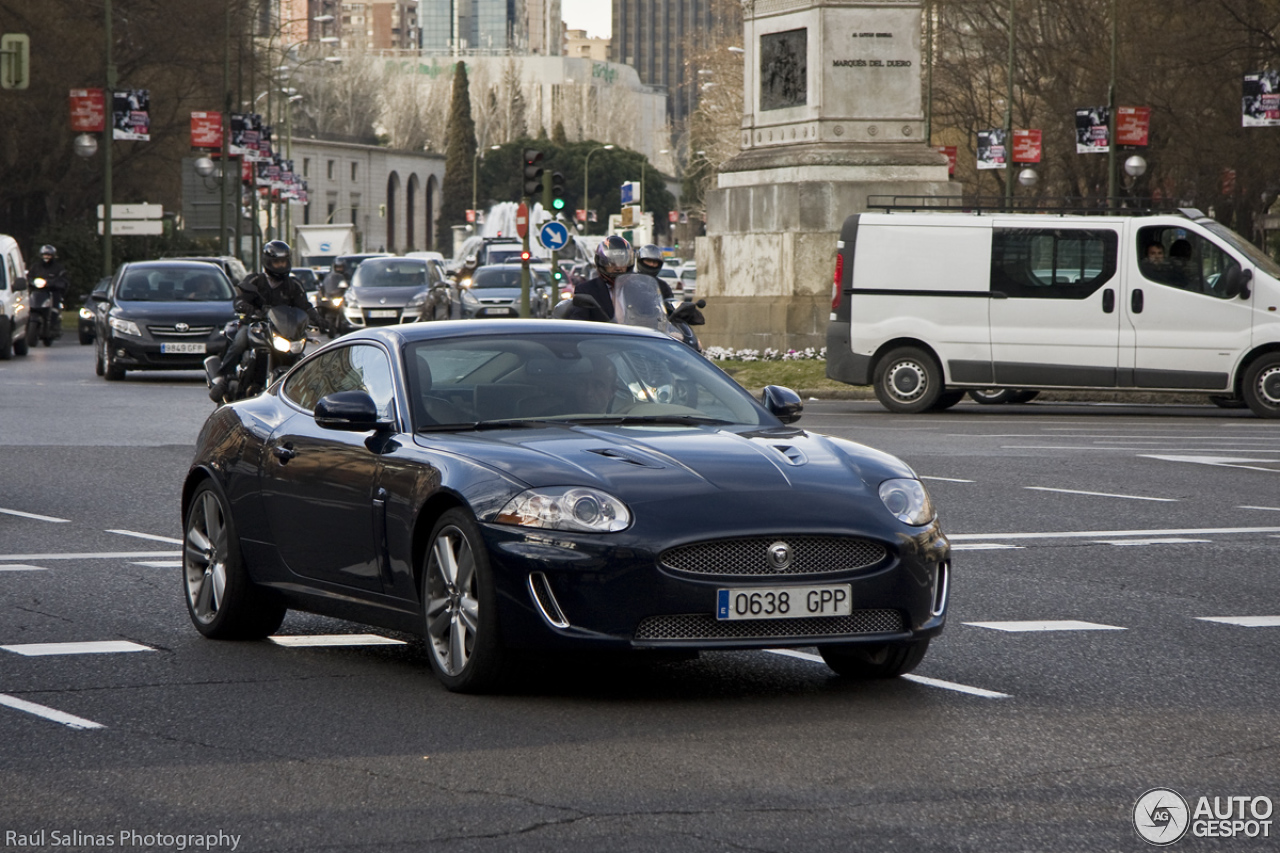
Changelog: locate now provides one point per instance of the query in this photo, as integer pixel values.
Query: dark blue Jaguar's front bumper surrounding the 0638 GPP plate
(568, 591)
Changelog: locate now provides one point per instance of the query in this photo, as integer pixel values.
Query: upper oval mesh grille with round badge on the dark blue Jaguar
(751, 556)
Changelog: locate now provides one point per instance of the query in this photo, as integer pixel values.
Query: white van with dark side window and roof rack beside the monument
(930, 305)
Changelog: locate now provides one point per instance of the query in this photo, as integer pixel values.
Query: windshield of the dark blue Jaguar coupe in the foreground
(592, 378)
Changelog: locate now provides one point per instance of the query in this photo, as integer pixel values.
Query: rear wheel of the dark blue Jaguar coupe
(222, 600)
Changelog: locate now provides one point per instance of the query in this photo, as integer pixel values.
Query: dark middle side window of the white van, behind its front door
(1052, 263)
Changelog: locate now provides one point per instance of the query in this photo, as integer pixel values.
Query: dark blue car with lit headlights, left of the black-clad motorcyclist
(162, 316)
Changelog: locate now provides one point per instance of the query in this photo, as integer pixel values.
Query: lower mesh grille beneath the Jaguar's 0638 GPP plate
(705, 627)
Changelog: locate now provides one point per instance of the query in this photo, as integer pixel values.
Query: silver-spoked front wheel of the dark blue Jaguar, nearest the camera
(460, 621)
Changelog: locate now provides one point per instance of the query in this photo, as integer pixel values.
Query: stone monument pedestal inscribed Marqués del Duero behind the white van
(833, 116)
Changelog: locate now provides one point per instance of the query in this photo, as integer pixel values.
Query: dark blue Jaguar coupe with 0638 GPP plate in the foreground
(501, 487)
